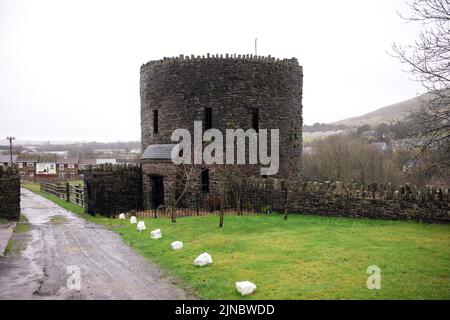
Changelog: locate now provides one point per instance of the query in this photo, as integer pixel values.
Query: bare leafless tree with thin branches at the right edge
(428, 60)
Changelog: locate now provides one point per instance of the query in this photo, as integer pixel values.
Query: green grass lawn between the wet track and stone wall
(305, 257)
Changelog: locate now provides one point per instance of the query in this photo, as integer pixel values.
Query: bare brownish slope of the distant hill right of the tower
(397, 111)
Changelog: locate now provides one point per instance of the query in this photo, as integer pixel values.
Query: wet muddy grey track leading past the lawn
(109, 268)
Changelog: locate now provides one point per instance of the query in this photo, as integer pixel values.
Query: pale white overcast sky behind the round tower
(69, 70)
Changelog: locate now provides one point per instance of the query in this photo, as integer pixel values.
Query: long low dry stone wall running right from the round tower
(407, 202)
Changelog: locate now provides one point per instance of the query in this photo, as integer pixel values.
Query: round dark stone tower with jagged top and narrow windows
(224, 92)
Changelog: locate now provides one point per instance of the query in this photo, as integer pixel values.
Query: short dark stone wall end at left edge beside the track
(9, 193)
